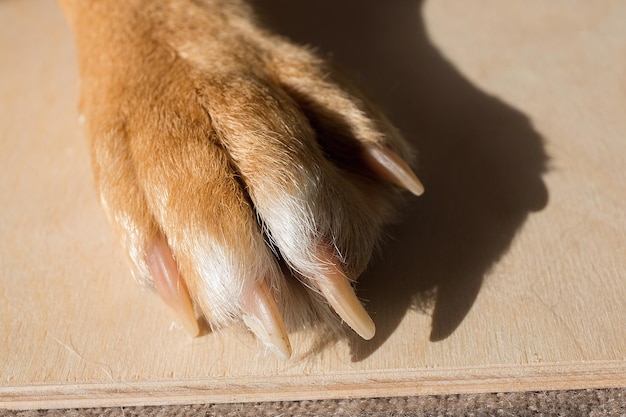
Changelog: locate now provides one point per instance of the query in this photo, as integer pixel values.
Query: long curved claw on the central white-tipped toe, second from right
(336, 288)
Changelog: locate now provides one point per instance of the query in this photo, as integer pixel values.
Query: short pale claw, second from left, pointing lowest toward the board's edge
(264, 320)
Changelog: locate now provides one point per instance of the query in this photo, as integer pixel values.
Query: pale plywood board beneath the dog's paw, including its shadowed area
(509, 273)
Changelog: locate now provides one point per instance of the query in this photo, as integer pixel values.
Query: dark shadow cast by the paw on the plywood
(480, 159)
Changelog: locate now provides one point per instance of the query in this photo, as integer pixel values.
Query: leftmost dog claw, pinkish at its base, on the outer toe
(170, 285)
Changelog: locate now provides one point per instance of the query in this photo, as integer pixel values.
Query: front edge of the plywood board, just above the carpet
(379, 383)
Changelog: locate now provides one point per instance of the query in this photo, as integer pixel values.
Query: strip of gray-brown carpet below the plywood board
(610, 402)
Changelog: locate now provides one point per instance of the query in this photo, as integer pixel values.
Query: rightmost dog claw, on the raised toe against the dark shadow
(390, 166)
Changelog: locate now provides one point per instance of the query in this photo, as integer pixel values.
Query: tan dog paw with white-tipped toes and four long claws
(244, 181)
